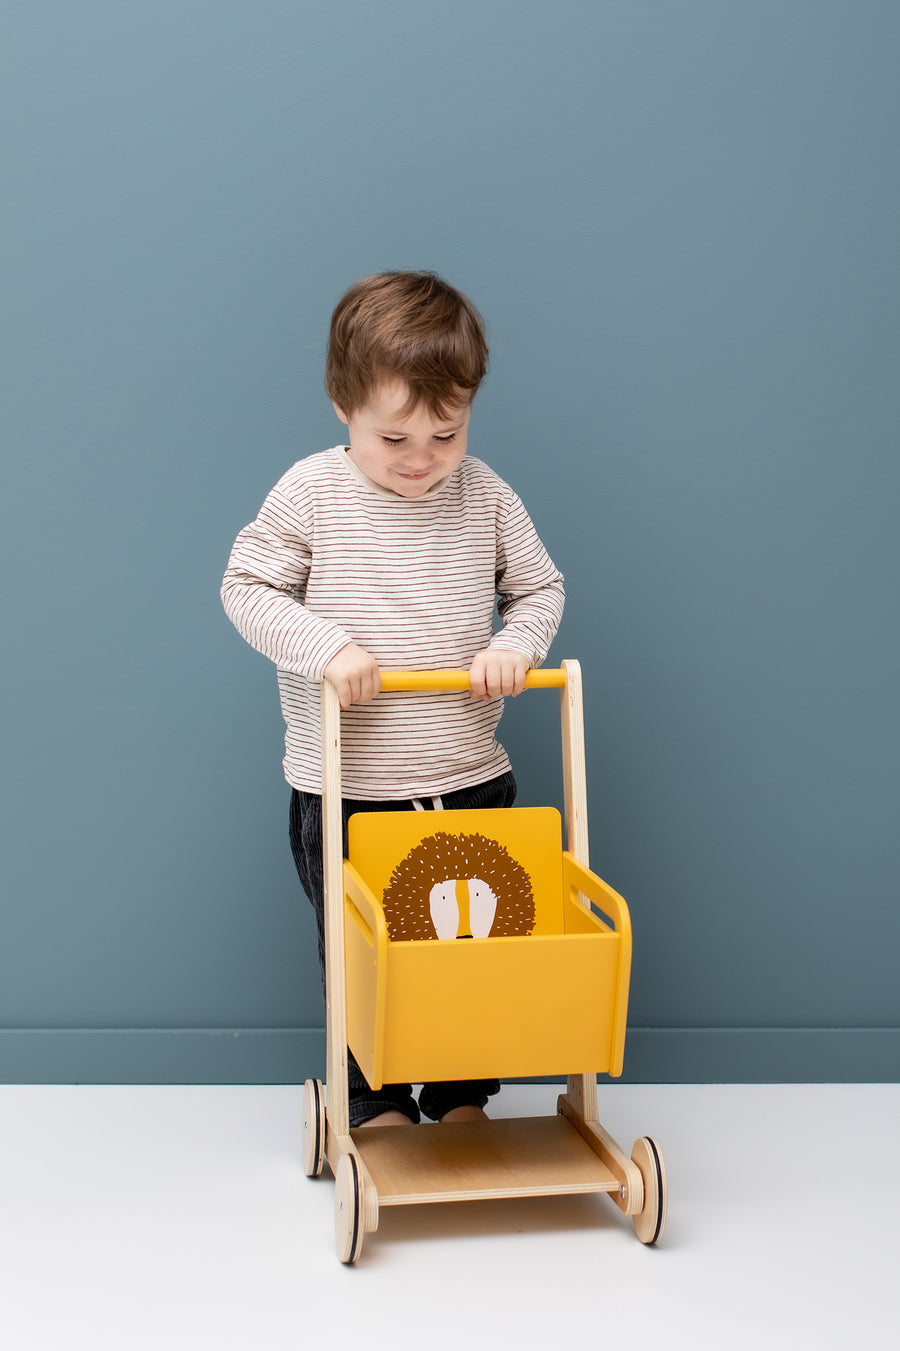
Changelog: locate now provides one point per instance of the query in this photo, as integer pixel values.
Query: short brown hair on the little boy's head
(409, 326)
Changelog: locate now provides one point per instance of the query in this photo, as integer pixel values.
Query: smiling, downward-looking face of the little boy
(406, 455)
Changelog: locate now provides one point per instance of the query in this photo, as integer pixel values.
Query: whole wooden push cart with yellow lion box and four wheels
(540, 990)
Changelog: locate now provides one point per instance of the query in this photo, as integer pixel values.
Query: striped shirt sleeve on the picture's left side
(264, 587)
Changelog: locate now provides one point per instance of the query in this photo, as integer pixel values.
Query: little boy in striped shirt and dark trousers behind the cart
(390, 553)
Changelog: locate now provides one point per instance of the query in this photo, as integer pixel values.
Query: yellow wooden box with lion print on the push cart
(552, 1000)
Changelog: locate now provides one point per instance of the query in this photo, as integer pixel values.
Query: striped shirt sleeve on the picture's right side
(530, 588)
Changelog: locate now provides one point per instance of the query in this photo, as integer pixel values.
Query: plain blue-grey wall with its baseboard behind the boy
(682, 224)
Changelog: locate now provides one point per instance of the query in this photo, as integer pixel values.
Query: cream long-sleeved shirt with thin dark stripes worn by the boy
(334, 559)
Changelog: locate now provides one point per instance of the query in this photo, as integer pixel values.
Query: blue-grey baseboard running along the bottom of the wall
(290, 1056)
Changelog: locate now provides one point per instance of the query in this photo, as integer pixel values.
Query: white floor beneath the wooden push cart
(179, 1218)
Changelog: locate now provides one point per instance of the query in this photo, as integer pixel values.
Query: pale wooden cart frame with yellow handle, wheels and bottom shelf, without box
(380, 1167)
